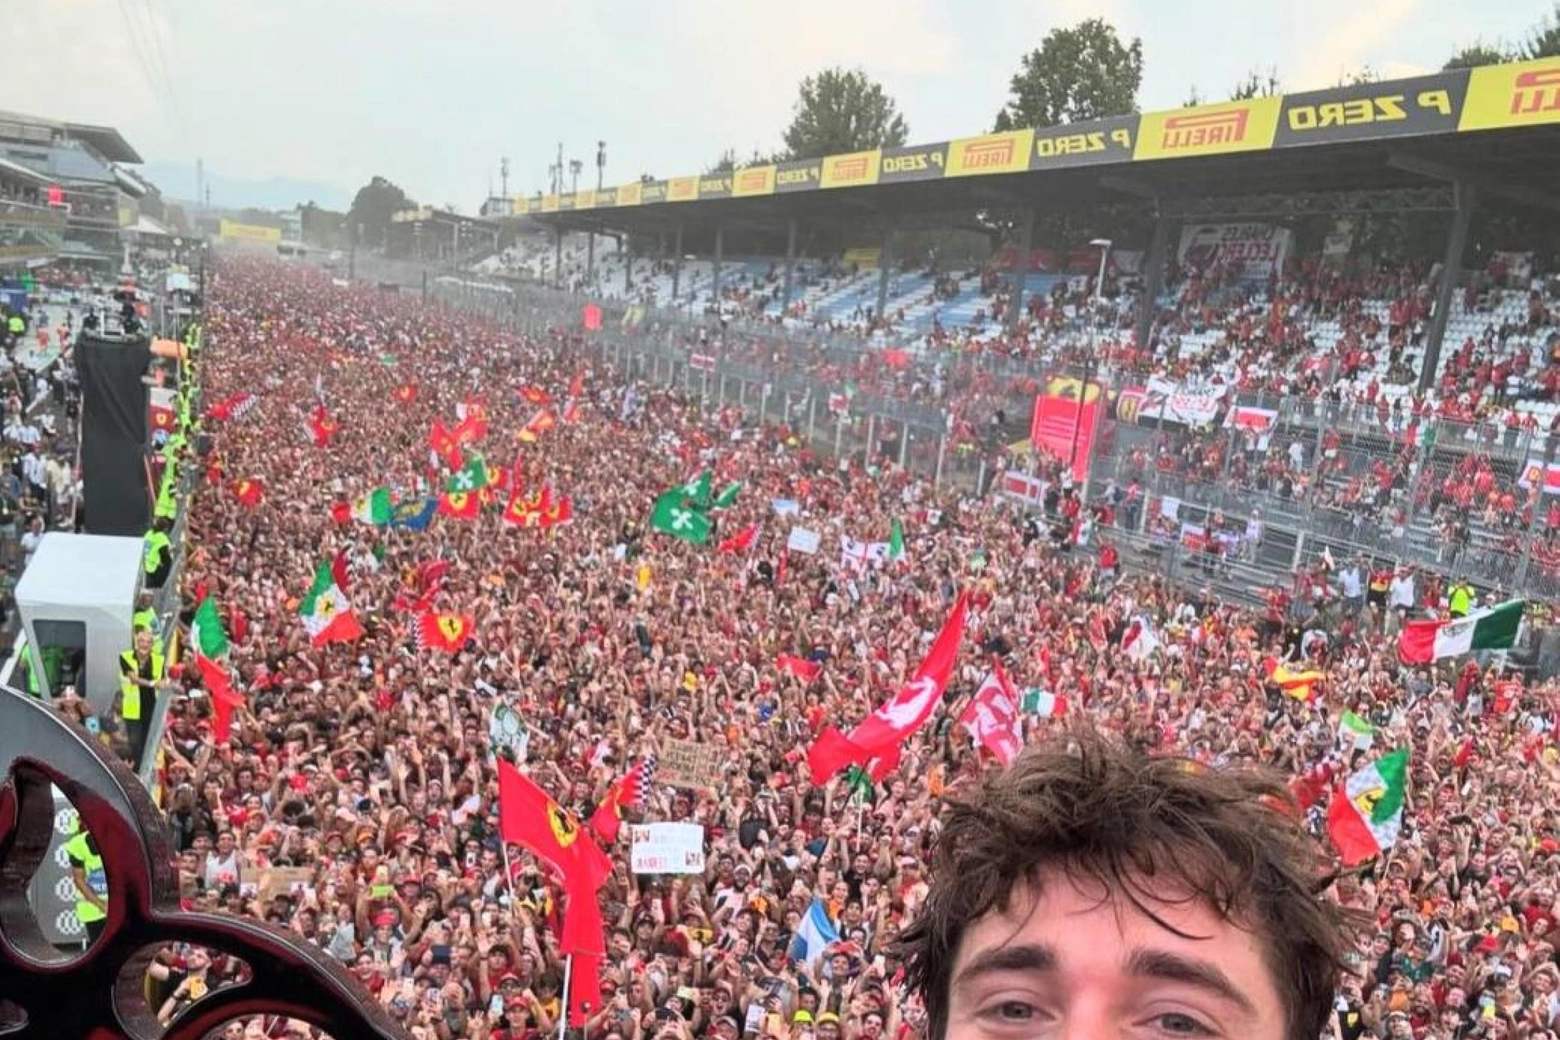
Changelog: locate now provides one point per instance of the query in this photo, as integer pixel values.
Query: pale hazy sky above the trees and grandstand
(434, 93)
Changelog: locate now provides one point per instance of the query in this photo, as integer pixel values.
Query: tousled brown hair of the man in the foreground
(1091, 808)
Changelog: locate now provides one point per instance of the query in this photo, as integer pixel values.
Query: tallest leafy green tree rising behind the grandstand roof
(1076, 74)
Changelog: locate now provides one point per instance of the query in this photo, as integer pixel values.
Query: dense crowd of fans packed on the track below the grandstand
(356, 802)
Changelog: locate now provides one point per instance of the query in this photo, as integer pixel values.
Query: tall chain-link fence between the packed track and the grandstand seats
(1280, 481)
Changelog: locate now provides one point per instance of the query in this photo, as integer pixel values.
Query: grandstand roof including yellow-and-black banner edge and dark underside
(1497, 127)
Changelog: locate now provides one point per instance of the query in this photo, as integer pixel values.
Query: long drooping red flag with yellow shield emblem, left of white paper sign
(531, 819)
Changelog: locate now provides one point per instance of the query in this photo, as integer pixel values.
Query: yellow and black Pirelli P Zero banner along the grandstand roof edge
(1495, 97)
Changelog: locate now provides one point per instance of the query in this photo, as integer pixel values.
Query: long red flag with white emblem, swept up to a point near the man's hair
(879, 737)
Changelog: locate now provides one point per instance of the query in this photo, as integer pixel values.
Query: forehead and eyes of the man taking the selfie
(1083, 963)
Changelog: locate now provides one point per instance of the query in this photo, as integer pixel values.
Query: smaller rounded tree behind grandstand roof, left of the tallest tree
(840, 110)
